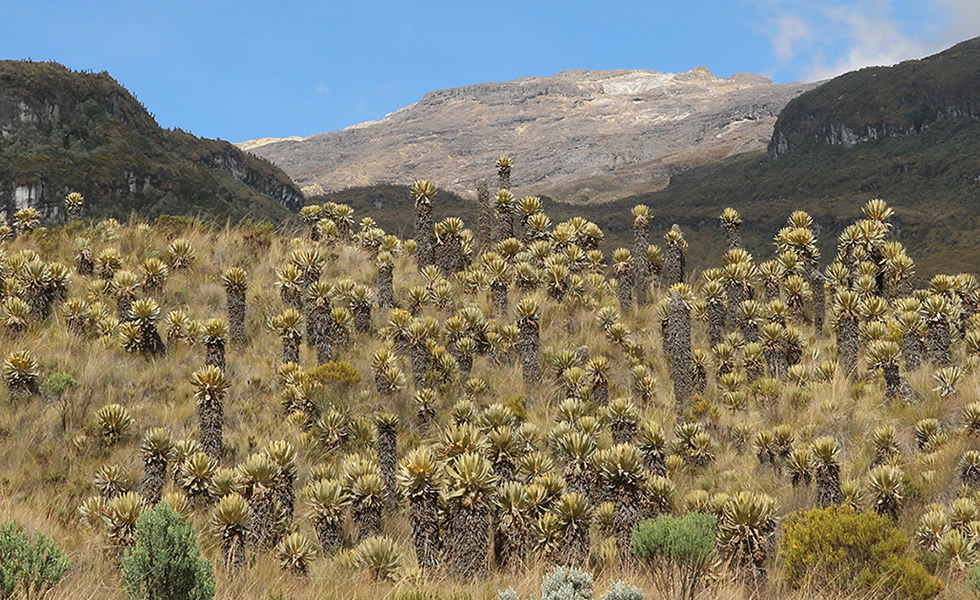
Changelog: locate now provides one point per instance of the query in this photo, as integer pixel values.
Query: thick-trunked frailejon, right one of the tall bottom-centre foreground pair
(471, 491)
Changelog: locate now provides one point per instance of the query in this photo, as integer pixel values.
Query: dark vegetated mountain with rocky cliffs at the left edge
(63, 131)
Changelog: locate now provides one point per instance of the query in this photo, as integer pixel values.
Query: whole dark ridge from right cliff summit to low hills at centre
(930, 174)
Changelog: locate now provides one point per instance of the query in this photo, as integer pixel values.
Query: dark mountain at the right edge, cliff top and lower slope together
(909, 134)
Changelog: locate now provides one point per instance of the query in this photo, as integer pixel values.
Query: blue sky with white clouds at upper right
(241, 70)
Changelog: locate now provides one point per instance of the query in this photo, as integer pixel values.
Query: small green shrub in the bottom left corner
(28, 569)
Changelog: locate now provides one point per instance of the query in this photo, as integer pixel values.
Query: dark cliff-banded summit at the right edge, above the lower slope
(881, 102)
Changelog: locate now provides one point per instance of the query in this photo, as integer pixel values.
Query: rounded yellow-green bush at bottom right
(839, 549)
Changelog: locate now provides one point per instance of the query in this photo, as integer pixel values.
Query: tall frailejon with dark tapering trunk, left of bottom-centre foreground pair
(419, 477)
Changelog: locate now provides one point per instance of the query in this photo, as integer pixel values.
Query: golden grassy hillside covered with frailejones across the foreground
(384, 436)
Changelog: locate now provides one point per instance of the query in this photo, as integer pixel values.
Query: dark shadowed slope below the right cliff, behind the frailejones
(931, 177)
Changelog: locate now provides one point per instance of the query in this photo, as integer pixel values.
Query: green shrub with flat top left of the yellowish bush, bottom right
(678, 551)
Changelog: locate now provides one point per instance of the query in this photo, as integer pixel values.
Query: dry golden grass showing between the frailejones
(50, 453)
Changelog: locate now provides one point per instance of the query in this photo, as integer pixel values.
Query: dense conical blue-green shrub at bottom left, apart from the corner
(165, 563)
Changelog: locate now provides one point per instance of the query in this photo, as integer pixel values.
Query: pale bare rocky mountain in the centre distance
(577, 124)
